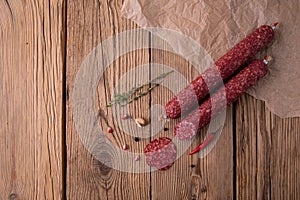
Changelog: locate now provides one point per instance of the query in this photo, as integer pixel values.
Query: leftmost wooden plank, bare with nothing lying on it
(31, 103)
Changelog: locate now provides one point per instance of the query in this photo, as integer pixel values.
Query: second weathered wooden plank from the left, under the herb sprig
(90, 23)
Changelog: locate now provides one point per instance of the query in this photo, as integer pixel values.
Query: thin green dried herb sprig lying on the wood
(128, 97)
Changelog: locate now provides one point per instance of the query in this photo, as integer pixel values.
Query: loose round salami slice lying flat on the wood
(160, 153)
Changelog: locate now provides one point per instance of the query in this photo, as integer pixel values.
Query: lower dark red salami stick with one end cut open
(235, 87)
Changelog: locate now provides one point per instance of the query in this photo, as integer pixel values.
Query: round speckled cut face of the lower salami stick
(185, 130)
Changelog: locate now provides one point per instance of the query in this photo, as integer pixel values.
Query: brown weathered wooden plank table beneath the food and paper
(43, 44)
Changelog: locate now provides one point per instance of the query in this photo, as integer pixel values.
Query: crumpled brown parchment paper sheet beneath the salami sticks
(219, 25)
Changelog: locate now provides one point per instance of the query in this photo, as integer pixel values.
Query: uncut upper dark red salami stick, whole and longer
(189, 97)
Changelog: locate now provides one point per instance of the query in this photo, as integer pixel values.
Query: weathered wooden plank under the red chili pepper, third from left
(190, 177)
